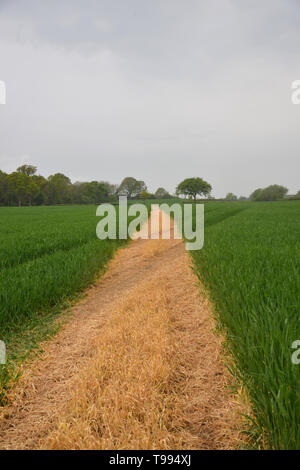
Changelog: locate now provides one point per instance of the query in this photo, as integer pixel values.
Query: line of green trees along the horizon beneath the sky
(25, 187)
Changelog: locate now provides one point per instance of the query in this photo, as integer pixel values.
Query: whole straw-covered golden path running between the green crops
(137, 366)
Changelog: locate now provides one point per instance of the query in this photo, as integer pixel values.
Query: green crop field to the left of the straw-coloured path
(47, 256)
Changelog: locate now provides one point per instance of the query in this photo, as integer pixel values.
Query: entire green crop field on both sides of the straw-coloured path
(250, 265)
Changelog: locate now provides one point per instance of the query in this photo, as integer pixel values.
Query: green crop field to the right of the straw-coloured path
(250, 264)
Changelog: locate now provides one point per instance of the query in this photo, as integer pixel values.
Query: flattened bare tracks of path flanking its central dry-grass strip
(209, 414)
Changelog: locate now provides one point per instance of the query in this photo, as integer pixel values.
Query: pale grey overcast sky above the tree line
(156, 89)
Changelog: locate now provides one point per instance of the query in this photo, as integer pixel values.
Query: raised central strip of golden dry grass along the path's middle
(126, 398)
